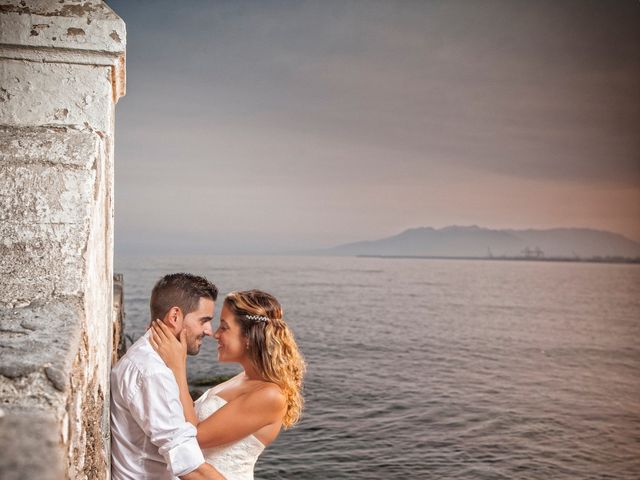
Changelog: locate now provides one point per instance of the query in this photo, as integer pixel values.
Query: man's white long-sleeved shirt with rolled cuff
(150, 438)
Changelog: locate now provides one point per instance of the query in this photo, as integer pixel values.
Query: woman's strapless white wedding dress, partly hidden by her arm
(234, 460)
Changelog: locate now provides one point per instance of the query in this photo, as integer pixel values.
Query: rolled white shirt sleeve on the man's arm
(156, 407)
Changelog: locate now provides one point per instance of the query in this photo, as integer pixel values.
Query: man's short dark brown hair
(182, 290)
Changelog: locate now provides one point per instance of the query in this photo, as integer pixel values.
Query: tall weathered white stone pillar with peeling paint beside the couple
(61, 74)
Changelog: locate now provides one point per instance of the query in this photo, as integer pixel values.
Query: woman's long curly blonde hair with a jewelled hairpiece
(272, 347)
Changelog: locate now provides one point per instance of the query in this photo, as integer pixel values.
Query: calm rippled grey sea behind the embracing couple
(443, 369)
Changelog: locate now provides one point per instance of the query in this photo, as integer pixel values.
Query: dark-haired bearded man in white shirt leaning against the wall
(150, 437)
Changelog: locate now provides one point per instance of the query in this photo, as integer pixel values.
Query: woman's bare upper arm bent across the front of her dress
(242, 417)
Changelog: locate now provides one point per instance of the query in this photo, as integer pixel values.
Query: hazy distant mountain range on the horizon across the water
(456, 241)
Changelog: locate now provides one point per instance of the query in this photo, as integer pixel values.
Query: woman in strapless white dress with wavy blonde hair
(237, 419)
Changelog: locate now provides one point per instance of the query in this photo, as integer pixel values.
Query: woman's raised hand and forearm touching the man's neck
(174, 354)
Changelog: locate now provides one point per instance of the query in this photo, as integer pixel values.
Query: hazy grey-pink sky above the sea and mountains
(269, 126)
